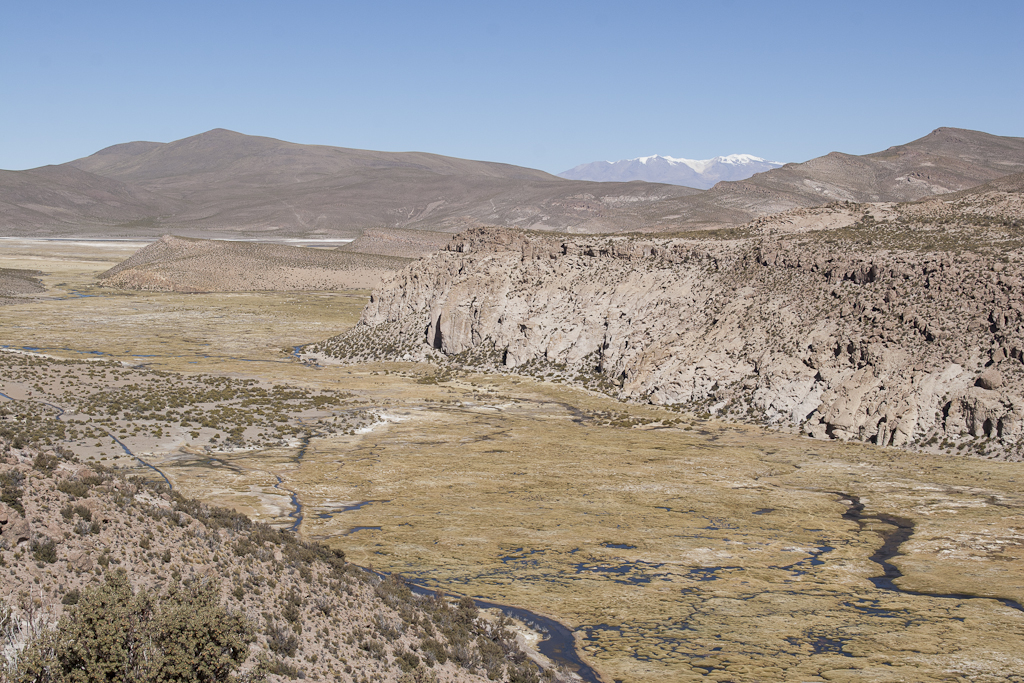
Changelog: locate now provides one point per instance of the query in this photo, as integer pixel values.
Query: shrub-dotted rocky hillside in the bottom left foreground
(71, 533)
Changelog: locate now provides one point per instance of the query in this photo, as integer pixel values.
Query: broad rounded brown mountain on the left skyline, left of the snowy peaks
(224, 184)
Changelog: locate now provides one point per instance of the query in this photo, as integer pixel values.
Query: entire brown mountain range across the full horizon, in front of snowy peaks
(224, 184)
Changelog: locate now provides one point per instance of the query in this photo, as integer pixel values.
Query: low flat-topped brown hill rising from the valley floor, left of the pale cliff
(186, 265)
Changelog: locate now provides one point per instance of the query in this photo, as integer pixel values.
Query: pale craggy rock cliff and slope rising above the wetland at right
(900, 325)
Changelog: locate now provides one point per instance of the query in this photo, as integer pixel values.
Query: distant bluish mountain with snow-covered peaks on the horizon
(691, 173)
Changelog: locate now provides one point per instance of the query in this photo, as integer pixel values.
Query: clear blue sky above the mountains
(542, 84)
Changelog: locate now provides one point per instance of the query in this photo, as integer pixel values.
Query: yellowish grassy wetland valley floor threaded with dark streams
(675, 548)
